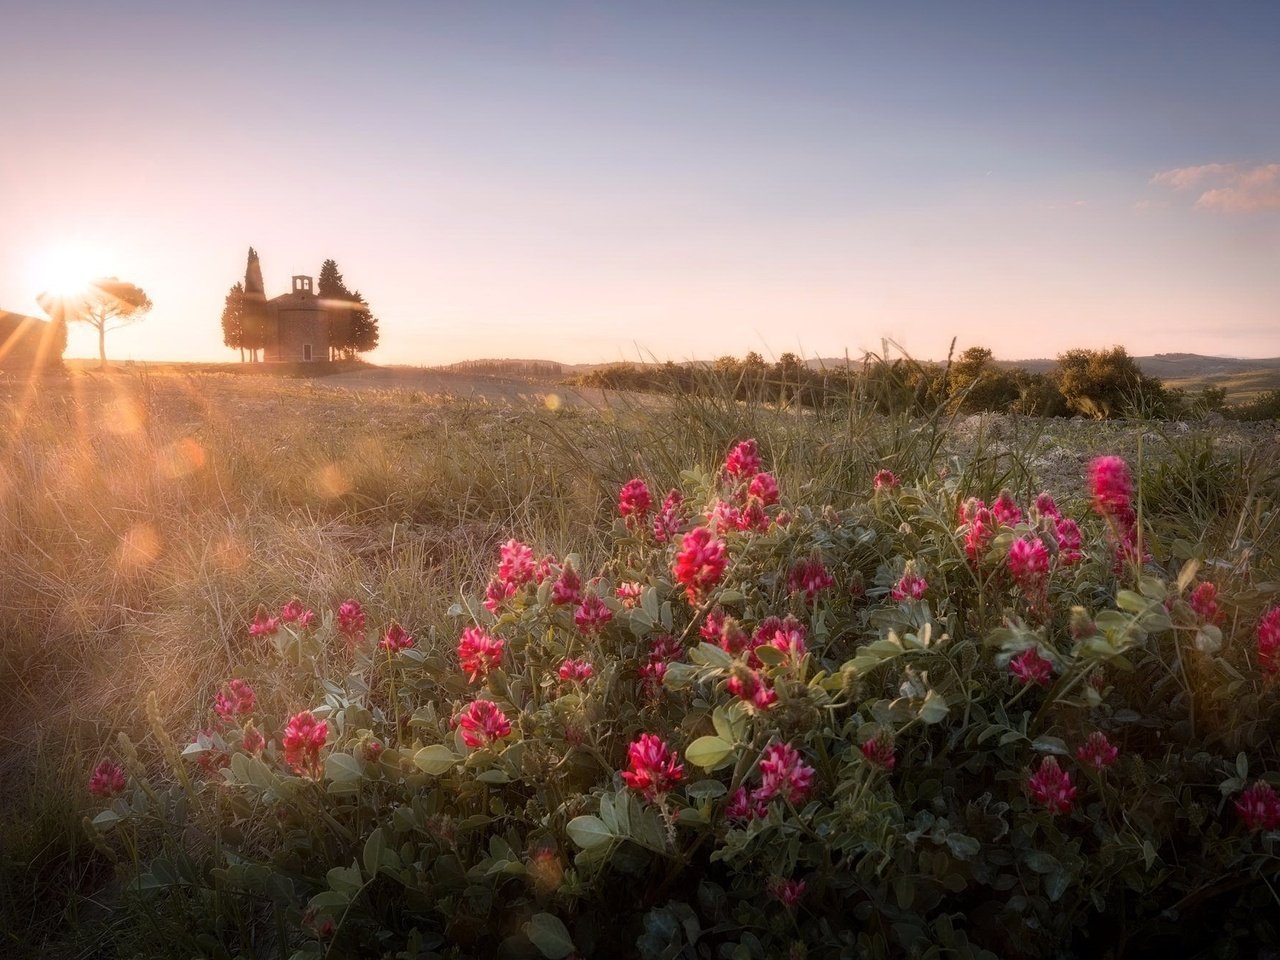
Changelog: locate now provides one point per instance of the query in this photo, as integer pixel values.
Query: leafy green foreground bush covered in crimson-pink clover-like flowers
(760, 729)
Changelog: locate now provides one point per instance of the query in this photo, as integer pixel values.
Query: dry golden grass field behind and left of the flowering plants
(145, 515)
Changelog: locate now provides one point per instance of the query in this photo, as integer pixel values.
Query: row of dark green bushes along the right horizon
(1099, 385)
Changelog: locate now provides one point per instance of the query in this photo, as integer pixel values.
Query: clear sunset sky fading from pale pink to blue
(619, 181)
